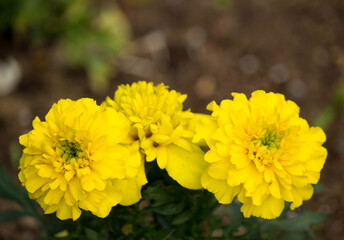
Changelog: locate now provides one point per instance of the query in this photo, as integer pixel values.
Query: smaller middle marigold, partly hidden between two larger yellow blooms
(162, 129)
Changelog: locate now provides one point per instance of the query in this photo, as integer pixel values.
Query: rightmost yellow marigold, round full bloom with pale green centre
(262, 152)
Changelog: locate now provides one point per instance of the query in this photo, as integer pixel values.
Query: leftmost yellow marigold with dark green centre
(76, 160)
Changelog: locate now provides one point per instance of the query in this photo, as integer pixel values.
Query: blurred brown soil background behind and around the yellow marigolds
(206, 49)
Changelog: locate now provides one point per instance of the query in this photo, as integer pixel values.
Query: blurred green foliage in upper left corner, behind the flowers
(90, 33)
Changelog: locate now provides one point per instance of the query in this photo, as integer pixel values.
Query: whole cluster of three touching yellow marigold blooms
(90, 157)
